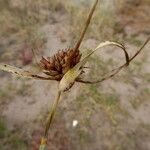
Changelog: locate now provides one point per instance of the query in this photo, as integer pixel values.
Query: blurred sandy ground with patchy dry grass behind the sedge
(113, 115)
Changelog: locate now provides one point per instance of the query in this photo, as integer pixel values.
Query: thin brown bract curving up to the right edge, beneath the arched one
(117, 70)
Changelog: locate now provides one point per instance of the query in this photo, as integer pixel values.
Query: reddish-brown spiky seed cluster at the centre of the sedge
(60, 63)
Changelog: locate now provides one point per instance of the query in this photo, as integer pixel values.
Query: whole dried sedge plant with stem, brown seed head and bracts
(66, 67)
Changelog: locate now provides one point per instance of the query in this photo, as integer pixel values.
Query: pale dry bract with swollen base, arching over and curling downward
(70, 77)
